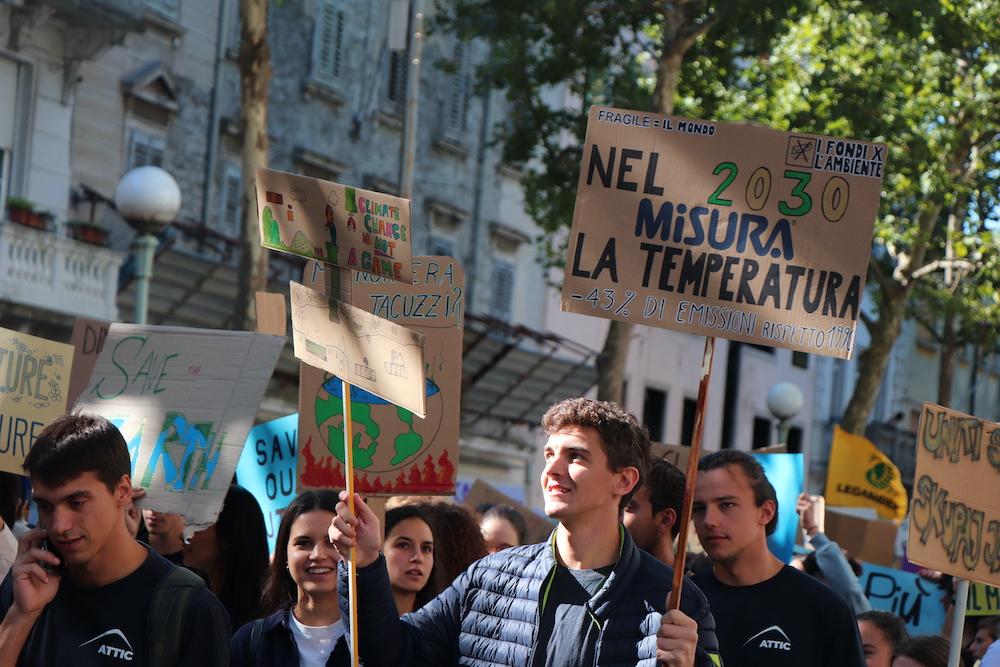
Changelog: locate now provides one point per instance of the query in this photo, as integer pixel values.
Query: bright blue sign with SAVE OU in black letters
(268, 468)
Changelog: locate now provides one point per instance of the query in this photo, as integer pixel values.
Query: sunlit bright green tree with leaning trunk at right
(920, 75)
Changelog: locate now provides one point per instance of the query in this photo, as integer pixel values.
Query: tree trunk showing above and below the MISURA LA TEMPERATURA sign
(614, 354)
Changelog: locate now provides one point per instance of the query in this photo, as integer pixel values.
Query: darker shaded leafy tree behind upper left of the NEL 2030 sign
(624, 53)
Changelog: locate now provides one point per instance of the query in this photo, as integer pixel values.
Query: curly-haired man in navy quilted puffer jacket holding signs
(587, 596)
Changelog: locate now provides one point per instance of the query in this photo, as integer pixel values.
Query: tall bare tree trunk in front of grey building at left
(255, 76)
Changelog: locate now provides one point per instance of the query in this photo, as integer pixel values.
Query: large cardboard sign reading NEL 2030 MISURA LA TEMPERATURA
(723, 230)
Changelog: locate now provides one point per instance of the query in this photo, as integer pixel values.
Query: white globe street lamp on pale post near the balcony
(148, 198)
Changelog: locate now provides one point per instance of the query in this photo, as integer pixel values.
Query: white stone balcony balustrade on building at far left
(42, 270)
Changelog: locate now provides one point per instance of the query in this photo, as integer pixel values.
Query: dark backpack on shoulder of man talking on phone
(167, 612)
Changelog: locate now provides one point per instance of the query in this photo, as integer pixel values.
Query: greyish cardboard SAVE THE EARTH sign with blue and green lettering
(184, 399)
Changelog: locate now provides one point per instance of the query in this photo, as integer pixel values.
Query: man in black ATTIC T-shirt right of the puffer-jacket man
(770, 614)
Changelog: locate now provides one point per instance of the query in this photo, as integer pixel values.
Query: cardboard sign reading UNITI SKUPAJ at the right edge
(955, 516)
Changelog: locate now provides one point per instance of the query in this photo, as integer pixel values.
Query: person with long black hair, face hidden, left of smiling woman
(232, 555)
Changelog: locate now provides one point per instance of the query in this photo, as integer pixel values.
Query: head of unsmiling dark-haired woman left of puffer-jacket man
(409, 557)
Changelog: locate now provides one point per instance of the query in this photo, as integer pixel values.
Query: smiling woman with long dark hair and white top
(300, 594)
